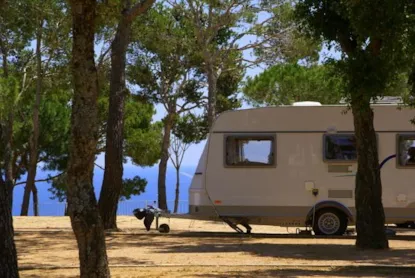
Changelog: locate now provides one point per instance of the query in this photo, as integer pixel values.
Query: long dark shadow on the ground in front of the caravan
(314, 252)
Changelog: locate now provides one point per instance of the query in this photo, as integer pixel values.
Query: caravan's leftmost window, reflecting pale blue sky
(254, 150)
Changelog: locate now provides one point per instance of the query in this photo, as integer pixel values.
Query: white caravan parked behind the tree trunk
(295, 166)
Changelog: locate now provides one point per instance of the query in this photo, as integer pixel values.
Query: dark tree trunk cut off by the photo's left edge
(8, 254)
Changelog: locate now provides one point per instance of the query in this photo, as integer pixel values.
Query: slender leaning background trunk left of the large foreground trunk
(34, 138)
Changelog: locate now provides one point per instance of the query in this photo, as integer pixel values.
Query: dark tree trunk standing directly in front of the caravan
(370, 217)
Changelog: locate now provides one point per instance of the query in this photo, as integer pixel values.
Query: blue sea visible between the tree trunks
(49, 207)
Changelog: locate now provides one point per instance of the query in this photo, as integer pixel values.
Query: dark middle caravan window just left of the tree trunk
(340, 147)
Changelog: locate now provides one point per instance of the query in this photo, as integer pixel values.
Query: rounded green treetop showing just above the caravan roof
(288, 83)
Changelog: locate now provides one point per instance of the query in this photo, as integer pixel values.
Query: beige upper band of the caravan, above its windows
(310, 119)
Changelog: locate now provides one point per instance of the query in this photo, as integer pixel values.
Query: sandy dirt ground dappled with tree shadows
(47, 248)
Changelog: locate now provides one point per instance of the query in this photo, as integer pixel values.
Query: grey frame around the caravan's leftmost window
(252, 136)
